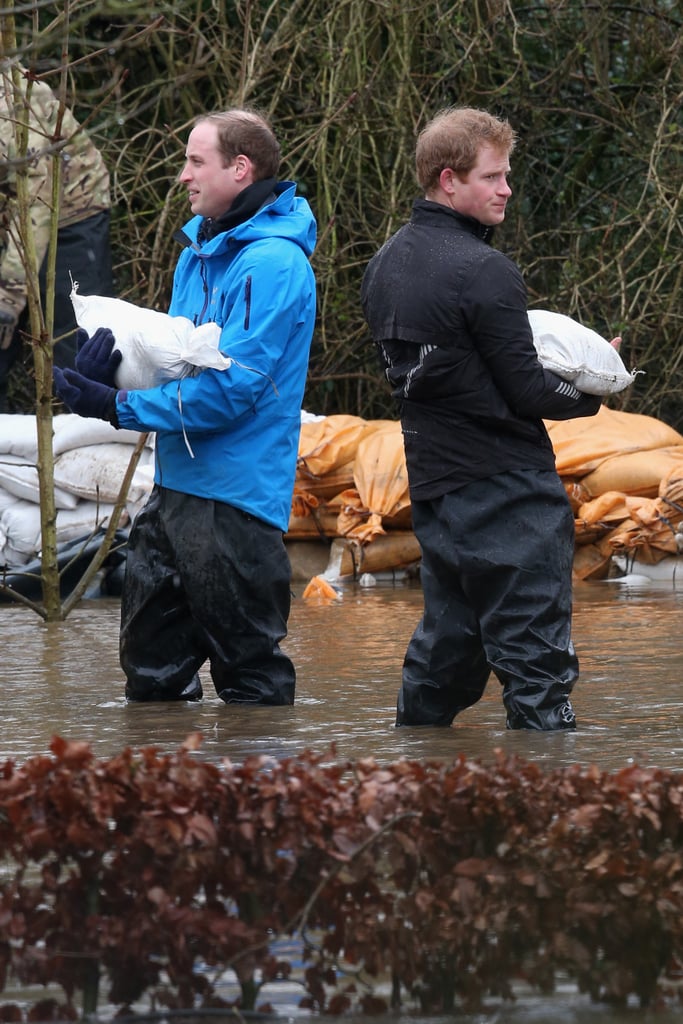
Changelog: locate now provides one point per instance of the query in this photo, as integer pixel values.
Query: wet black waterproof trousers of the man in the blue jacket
(205, 582)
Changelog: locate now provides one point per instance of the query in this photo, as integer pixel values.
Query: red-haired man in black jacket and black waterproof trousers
(449, 316)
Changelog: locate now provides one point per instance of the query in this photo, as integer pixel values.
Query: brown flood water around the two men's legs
(64, 679)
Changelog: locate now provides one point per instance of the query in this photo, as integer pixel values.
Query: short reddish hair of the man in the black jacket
(453, 139)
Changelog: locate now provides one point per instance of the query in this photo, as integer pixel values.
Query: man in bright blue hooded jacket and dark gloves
(207, 572)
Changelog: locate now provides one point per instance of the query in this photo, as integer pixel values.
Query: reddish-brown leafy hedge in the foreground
(452, 881)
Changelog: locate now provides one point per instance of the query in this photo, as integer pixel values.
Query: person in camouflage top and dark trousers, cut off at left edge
(83, 232)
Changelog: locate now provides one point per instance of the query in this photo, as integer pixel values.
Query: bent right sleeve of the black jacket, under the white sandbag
(496, 314)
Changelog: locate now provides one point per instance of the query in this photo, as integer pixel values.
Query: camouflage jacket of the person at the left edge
(86, 183)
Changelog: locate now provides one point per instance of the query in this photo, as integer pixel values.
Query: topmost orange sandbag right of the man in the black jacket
(581, 446)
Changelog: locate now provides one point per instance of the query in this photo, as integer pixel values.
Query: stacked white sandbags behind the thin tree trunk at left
(91, 462)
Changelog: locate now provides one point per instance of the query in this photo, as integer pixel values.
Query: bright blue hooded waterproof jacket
(233, 436)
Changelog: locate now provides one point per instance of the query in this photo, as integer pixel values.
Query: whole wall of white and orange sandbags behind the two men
(623, 473)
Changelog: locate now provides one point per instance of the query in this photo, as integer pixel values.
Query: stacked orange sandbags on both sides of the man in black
(623, 473)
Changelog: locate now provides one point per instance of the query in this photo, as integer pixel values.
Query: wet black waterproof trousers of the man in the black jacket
(497, 561)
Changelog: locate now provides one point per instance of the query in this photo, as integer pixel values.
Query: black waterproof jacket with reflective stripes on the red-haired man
(449, 315)
